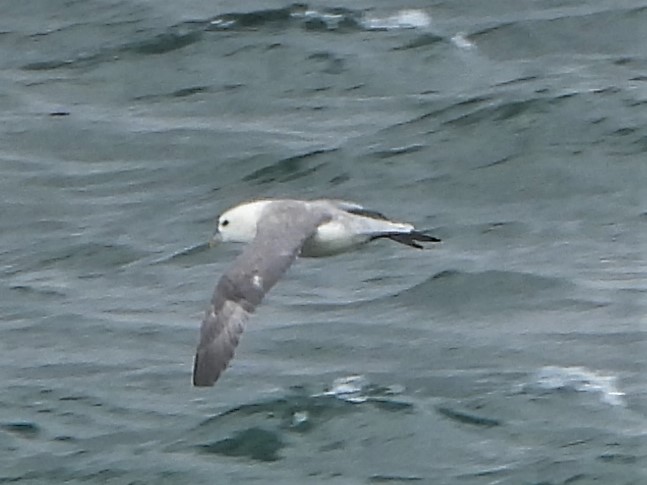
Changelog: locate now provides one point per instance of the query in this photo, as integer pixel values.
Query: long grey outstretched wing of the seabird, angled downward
(280, 234)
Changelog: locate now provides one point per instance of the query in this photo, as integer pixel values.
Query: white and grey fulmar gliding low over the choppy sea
(277, 231)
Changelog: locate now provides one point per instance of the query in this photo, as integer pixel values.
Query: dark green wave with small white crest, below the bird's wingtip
(260, 430)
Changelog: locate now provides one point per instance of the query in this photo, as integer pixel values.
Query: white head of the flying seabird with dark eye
(238, 224)
